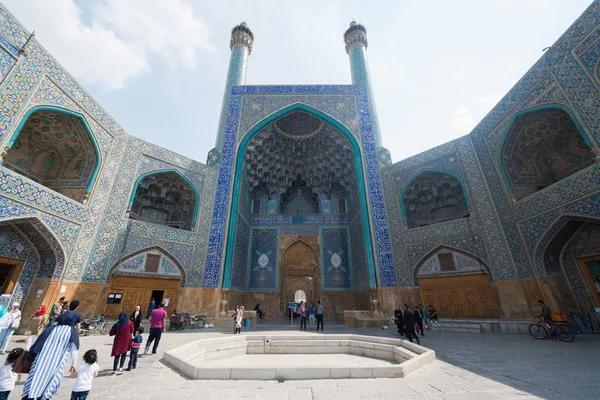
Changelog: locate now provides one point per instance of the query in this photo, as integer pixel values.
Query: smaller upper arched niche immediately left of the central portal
(165, 198)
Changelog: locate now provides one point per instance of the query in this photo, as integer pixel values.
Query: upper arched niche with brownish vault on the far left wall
(57, 149)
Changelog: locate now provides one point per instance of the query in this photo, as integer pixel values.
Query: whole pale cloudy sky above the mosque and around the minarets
(158, 67)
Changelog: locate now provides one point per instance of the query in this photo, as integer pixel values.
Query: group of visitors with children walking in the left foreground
(52, 343)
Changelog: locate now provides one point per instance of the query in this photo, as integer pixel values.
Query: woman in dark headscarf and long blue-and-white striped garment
(50, 351)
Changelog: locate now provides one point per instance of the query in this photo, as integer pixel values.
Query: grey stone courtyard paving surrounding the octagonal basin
(468, 366)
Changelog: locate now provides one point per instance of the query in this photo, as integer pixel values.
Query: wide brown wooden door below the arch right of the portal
(460, 296)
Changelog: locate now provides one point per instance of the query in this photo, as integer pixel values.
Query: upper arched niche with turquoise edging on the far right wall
(543, 146)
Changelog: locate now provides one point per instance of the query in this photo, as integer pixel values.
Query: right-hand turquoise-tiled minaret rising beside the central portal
(355, 38)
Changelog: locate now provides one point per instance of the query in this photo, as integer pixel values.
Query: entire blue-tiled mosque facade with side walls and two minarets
(299, 197)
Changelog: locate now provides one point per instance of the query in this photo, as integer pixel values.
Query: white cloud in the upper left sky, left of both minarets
(116, 43)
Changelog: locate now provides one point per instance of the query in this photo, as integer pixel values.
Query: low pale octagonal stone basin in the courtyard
(286, 357)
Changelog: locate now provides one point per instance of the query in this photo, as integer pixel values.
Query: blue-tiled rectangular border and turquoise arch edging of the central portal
(225, 214)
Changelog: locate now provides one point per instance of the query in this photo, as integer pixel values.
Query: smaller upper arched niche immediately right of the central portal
(434, 196)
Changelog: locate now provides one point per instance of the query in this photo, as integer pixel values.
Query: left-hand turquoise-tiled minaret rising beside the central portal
(241, 47)
